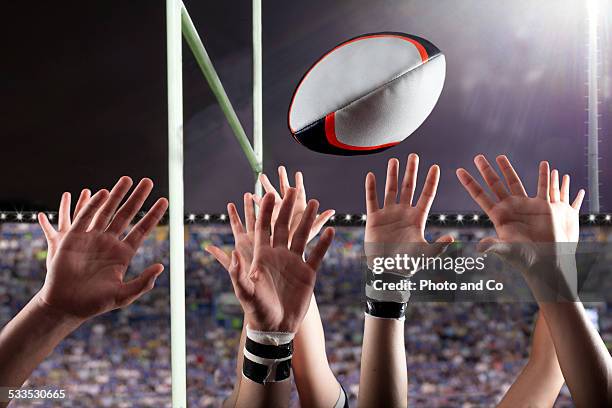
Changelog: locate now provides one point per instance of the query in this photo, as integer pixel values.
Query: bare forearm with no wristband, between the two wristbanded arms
(316, 384)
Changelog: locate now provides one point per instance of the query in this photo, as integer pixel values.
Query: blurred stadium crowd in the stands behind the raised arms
(459, 353)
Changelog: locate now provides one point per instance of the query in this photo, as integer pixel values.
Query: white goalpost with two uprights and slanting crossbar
(178, 24)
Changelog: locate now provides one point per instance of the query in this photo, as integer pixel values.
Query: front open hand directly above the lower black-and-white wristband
(275, 291)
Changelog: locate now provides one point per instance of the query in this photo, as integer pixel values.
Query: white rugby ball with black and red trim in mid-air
(367, 94)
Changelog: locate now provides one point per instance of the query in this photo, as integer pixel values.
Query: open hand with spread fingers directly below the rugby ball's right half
(399, 227)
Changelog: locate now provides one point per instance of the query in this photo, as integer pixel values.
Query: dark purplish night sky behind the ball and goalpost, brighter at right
(84, 94)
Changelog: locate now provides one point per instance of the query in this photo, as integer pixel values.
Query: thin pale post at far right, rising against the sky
(593, 107)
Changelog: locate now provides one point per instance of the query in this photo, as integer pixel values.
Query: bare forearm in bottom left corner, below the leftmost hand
(28, 339)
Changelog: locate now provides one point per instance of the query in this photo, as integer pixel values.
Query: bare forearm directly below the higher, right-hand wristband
(384, 374)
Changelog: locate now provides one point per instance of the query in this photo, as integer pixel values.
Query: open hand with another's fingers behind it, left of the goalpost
(85, 276)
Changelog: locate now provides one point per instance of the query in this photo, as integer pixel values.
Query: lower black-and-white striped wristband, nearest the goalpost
(267, 356)
